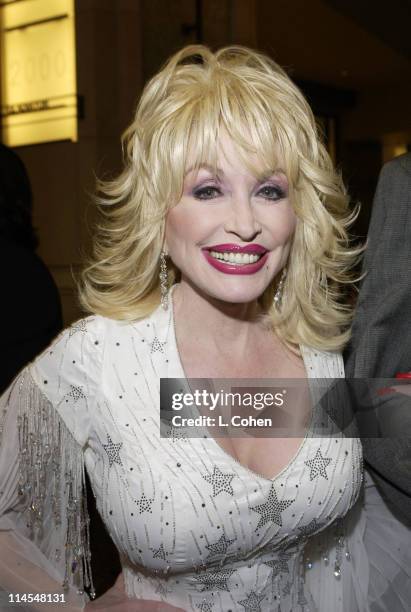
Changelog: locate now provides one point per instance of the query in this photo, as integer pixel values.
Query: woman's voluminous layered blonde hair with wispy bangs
(182, 108)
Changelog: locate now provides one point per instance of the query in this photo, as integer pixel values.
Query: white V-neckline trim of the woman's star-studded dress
(179, 372)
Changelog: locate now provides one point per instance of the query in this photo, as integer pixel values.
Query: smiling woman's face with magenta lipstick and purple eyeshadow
(230, 234)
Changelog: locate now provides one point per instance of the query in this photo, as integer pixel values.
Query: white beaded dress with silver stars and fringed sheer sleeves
(193, 527)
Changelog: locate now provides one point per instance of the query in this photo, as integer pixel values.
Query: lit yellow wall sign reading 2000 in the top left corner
(38, 71)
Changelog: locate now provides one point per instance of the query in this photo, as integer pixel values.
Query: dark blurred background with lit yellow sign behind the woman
(72, 72)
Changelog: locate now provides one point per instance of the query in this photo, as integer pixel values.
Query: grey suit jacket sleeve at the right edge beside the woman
(381, 341)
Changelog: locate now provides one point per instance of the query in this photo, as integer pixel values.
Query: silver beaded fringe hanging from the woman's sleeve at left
(52, 472)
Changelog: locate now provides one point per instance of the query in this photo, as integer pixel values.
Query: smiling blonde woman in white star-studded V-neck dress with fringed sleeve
(227, 190)
